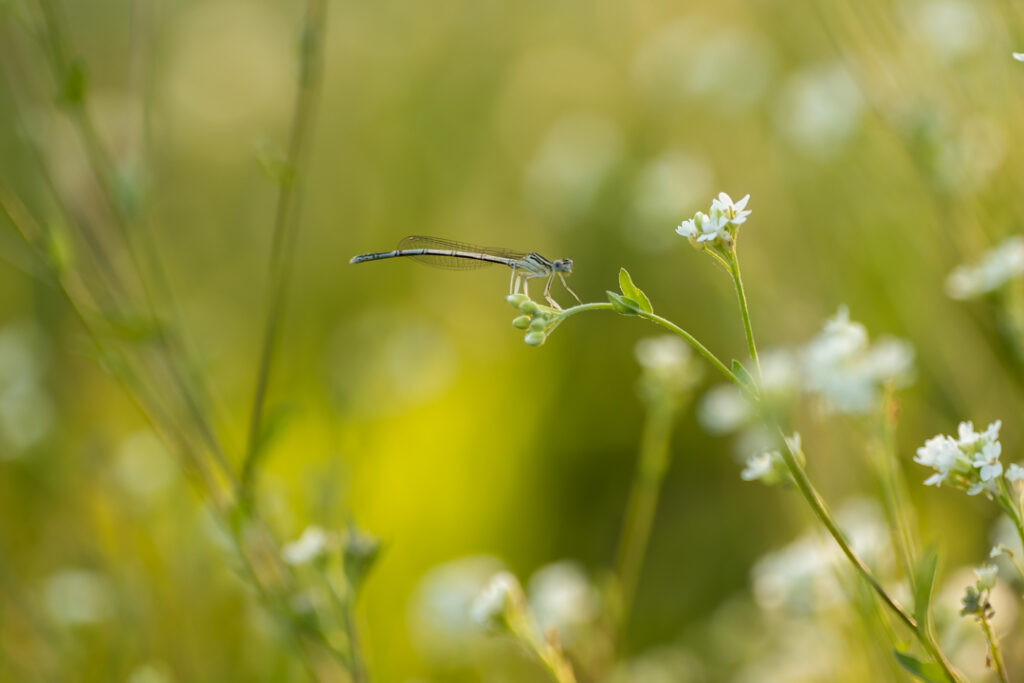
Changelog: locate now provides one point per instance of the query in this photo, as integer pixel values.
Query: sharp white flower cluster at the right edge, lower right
(970, 462)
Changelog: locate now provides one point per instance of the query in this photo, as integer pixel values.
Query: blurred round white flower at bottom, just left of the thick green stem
(564, 600)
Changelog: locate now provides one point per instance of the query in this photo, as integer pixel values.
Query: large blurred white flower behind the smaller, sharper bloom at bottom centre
(442, 626)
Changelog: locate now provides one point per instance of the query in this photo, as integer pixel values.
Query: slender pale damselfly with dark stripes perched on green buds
(462, 257)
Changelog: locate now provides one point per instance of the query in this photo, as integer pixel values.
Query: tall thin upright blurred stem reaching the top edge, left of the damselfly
(286, 224)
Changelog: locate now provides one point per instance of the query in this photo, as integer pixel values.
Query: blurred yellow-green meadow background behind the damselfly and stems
(876, 140)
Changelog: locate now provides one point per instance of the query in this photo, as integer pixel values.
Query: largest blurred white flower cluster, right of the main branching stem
(847, 372)
